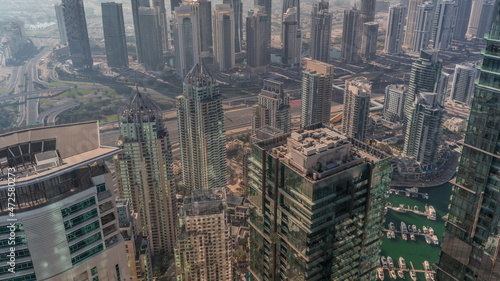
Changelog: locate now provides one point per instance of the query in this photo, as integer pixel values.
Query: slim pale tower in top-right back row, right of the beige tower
(423, 27)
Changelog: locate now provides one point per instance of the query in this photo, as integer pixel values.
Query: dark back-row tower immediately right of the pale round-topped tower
(258, 56)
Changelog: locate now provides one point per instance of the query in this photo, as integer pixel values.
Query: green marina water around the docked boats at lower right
(416, 251)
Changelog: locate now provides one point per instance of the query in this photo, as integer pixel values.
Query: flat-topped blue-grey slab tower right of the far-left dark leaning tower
(114, 34)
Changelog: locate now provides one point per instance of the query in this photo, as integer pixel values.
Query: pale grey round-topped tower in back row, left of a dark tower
(223, 37)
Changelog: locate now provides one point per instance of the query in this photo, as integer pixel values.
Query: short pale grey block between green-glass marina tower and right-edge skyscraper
(464, 83)
